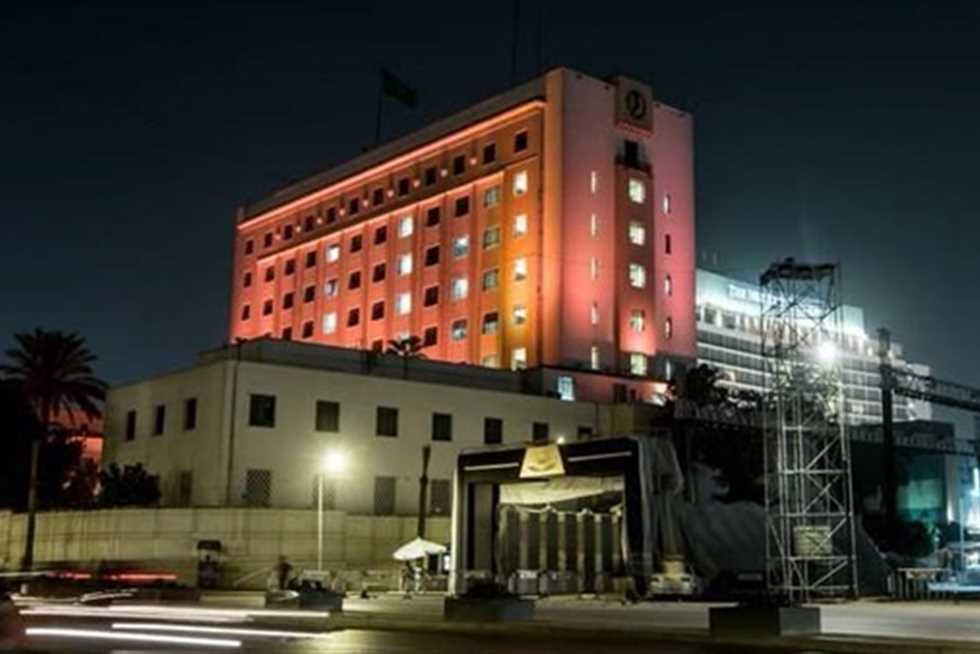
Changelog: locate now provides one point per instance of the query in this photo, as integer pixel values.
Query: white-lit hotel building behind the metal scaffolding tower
(729, 338)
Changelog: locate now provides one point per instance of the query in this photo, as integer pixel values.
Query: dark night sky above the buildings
(846, 132)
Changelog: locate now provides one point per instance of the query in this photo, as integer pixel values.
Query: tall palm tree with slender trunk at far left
(54, 371)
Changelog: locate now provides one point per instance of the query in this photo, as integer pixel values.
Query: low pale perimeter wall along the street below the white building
(165, 539)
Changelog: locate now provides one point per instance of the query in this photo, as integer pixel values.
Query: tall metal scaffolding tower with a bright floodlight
(809, 517)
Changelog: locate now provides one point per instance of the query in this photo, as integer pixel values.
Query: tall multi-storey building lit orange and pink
(551, 225)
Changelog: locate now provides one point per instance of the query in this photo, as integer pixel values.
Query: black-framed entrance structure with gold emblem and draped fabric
(549, 519)
